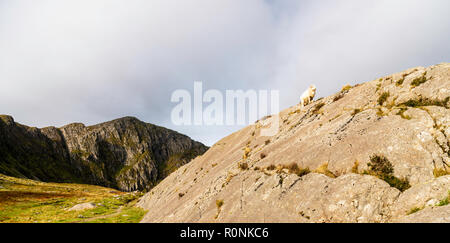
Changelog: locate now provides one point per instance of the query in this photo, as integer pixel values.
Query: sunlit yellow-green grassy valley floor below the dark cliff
(28, 201)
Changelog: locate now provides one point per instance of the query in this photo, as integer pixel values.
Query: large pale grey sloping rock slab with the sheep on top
(375, 152)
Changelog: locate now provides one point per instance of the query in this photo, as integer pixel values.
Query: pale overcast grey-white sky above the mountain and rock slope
(93, 61)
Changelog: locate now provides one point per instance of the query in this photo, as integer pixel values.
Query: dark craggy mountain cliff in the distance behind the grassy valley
(125, 153)
